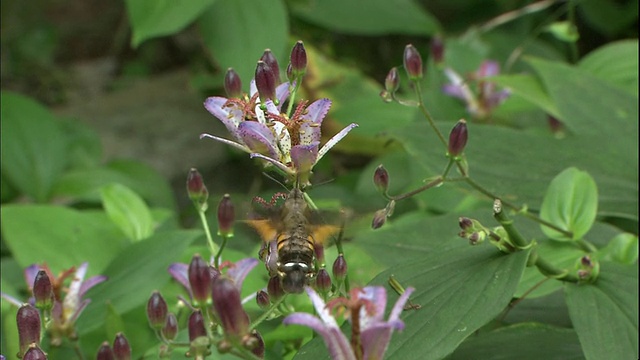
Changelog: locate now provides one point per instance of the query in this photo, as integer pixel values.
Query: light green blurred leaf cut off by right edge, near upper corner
(615, 63)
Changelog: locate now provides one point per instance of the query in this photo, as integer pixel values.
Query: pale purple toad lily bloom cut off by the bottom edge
(370, 332)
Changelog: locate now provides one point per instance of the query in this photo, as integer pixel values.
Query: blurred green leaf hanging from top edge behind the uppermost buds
(235, 33)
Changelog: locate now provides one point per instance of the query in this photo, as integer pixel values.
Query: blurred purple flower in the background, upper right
(481, 101)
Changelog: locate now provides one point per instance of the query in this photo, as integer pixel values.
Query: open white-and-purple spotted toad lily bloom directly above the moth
(291, 144)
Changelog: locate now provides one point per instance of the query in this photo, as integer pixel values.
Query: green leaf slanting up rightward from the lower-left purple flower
(134, 274)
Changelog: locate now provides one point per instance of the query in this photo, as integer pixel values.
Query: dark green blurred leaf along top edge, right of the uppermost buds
(377, 17)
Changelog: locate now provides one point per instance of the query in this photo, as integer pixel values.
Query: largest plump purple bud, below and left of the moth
(228, 307)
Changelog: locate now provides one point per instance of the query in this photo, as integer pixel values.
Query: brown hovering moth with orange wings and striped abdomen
(292, 240)
